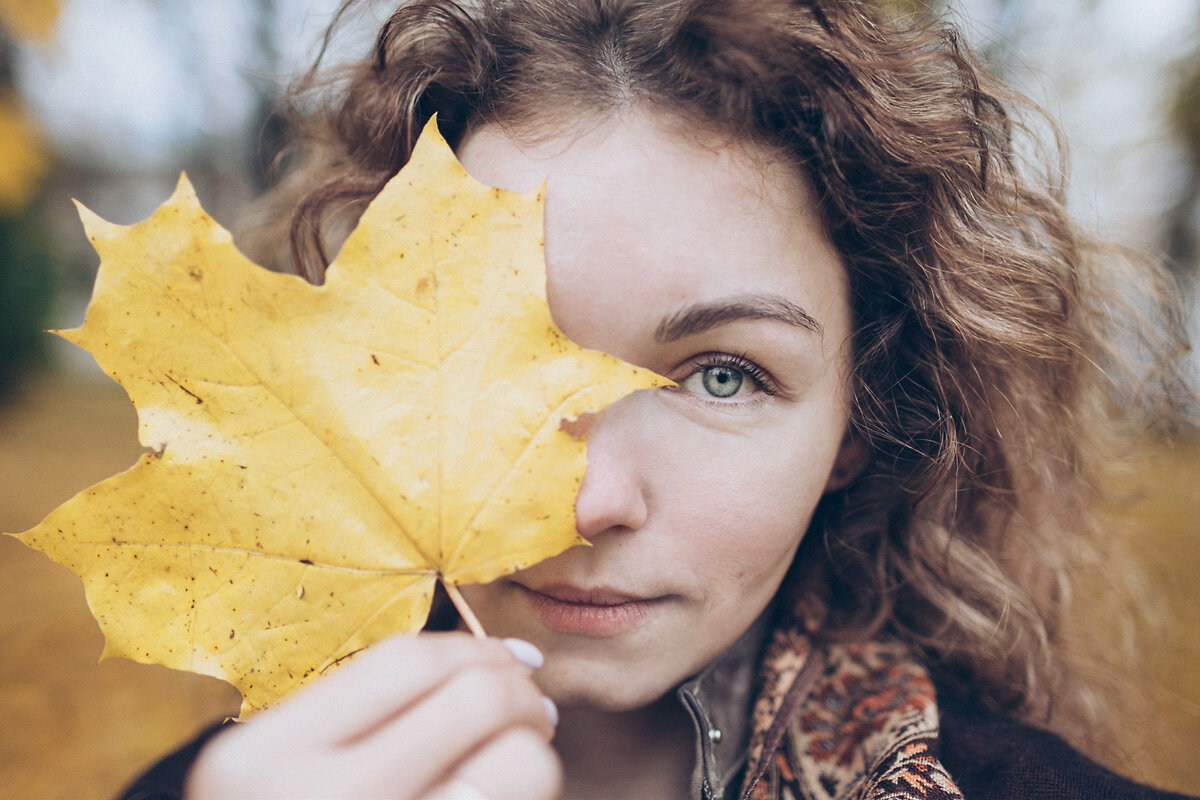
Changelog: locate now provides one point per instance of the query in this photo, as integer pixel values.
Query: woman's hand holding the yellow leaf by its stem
(429, 717)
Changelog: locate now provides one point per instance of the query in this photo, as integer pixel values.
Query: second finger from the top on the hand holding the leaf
(449, 725)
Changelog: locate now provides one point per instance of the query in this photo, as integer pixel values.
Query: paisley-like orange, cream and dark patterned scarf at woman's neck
(844, 723)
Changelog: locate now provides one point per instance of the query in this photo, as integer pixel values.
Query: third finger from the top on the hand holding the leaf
(515, 766)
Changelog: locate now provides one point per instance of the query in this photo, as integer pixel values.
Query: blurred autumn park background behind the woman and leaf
(106, 101)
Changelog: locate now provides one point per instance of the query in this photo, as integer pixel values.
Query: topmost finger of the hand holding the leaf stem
(379, 684)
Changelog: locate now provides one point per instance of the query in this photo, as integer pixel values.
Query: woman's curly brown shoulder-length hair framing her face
(998, 350)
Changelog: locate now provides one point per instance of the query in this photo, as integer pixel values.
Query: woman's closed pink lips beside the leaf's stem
(597, 612)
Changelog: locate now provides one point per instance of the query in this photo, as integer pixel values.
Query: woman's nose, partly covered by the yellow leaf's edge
(611, 497)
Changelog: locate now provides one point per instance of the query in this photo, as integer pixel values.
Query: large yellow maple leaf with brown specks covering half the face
(321, 456)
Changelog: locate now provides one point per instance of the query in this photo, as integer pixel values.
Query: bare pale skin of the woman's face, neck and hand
(694, 504)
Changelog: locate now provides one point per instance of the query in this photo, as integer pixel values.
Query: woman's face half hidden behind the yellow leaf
(705, 262)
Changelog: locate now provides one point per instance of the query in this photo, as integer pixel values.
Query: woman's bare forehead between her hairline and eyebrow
(644, 218)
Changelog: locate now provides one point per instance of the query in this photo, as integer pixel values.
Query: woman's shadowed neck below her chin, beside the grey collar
(647, 753)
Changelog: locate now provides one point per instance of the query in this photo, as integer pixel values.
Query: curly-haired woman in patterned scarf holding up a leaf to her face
(832, 561)
